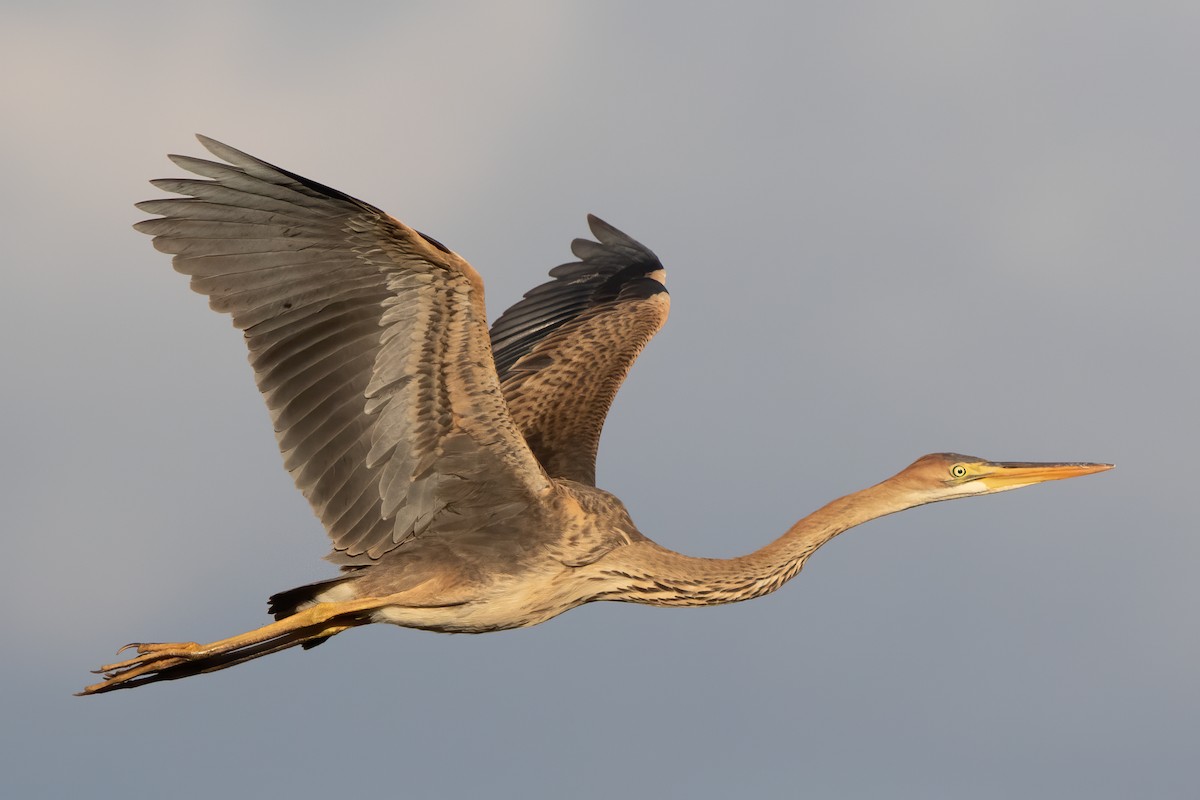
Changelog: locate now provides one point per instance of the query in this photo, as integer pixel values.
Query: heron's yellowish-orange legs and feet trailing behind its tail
(171, 660)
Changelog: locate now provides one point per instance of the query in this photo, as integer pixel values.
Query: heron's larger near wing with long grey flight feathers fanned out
(369, 342)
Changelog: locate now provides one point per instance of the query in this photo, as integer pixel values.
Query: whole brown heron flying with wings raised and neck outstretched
(454, 466)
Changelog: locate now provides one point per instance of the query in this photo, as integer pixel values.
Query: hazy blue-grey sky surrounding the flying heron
(890, 228)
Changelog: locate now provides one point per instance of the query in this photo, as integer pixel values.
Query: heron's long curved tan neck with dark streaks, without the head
(646, 573)
